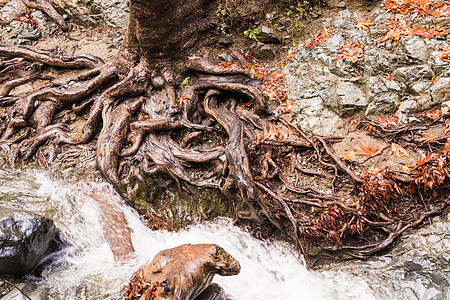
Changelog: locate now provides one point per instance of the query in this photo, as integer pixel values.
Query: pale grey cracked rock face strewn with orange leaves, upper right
(384, 79)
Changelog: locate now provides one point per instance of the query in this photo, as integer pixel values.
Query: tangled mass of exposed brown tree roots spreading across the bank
(145, 124)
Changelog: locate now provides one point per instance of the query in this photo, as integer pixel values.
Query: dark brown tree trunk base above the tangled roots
(169, 30)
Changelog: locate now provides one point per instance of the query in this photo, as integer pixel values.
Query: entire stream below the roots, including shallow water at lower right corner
(417, 268)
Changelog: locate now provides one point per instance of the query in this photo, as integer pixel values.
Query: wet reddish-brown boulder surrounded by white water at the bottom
(185, 273)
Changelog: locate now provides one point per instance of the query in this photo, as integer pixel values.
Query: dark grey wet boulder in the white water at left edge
(25, 239)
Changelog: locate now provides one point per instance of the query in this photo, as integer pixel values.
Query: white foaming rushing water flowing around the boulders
(87, 270)
